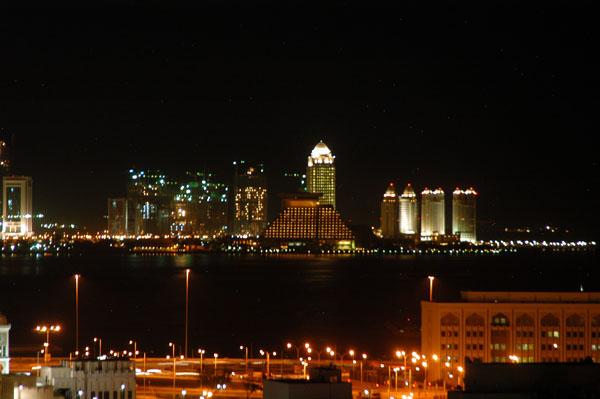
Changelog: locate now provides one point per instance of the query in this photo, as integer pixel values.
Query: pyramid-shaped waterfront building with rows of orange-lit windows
(303, 222)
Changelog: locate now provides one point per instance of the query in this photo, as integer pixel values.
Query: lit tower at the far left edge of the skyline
(17, 208)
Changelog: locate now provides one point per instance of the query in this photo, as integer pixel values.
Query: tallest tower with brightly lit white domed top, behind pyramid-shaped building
(320, 174)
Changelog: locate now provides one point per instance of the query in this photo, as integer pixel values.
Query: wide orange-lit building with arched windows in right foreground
(501, 327)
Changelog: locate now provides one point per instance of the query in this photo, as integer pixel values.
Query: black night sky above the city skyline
(503, 99)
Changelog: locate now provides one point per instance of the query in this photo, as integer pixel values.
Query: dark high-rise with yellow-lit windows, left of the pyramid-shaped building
(250, 199)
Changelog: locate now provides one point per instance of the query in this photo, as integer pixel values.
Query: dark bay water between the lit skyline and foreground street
(368, 303)
